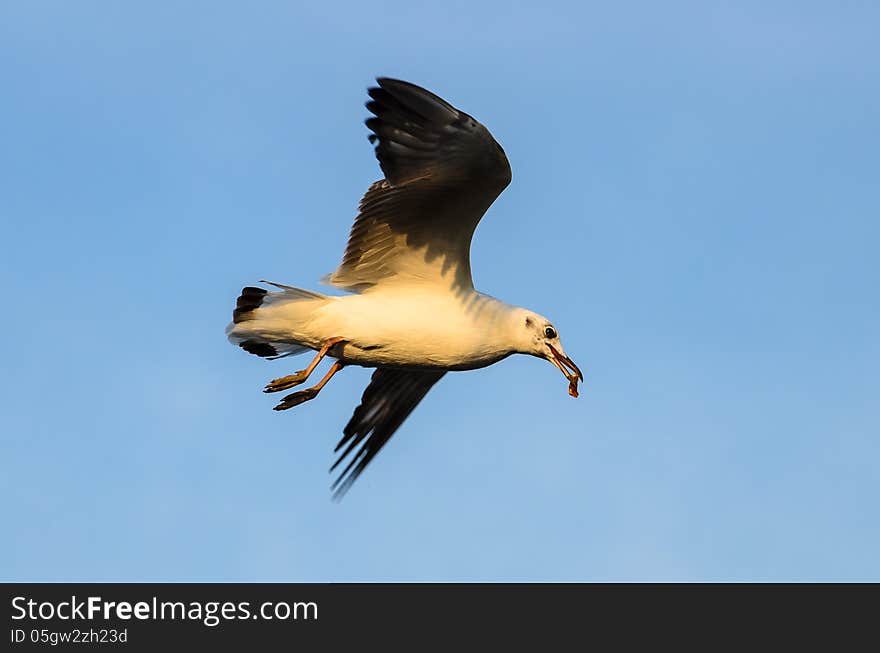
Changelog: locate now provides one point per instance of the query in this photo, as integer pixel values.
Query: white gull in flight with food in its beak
(410, 309)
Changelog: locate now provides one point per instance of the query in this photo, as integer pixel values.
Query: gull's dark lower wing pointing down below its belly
(389, 399)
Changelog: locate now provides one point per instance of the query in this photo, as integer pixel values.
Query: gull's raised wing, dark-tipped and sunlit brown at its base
(442, 171)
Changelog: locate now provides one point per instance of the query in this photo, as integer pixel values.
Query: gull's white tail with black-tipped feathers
(266, 323)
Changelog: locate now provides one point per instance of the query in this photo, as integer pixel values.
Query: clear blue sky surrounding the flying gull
(694, 204)
